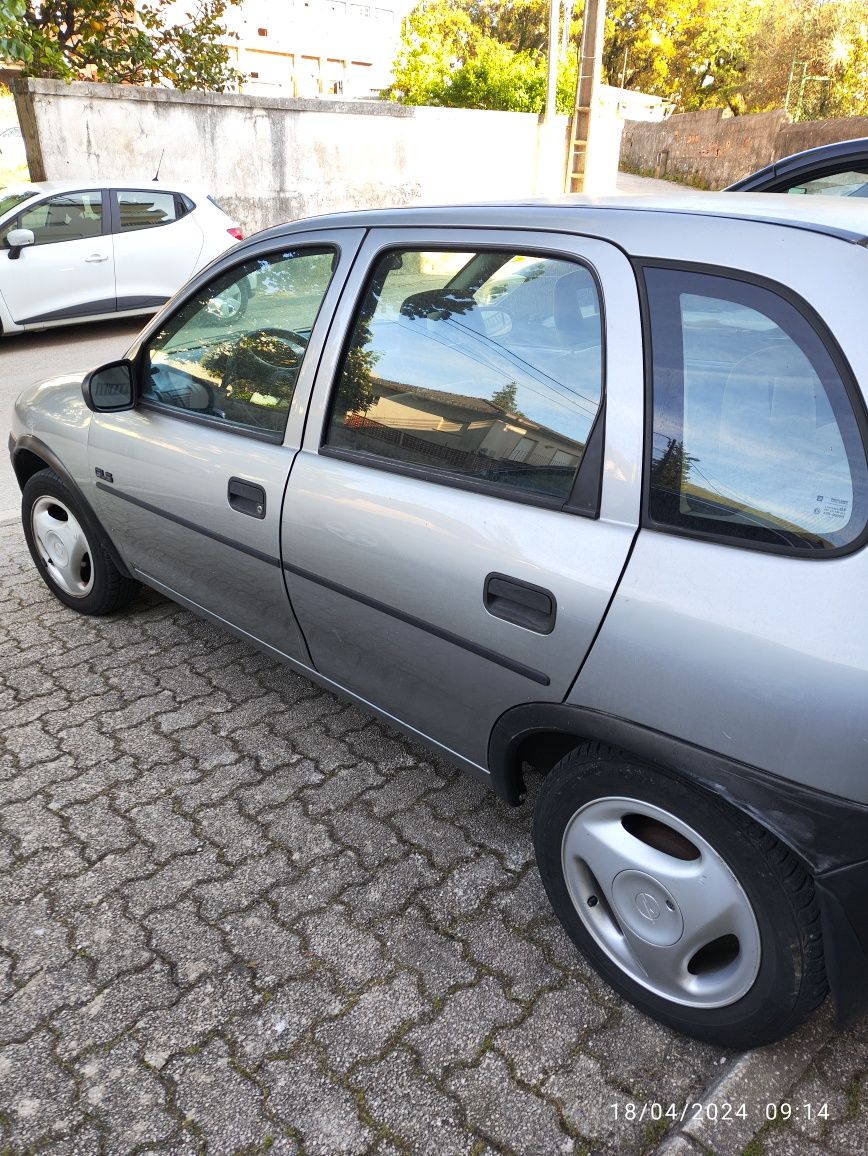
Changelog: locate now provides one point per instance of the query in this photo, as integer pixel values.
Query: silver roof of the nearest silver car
(836, 217)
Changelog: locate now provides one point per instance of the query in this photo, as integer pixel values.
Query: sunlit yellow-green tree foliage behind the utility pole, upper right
(744, 55)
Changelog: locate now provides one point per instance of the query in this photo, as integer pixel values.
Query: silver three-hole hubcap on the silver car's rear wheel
(662, 903)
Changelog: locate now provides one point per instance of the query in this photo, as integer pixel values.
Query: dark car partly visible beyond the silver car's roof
(832, 171)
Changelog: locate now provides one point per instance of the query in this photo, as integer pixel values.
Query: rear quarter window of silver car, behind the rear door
(754, 438)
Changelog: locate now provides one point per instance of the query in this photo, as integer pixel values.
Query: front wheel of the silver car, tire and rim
(95, 586)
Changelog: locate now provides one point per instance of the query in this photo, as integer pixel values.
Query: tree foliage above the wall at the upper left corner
(120, 42)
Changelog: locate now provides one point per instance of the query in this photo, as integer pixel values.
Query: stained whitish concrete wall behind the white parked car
(272, 160)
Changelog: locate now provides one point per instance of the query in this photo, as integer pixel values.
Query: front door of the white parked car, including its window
(69, 271)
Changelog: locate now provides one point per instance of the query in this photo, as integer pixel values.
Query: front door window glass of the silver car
(233, 353)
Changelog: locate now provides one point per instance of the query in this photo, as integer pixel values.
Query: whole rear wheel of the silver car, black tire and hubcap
(694, 913)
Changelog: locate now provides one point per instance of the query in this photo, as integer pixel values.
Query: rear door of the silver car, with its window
(469, 488)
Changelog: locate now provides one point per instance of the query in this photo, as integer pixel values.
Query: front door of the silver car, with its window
(191, 481)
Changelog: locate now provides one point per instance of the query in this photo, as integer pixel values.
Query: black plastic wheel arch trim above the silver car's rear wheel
(828, 833)
